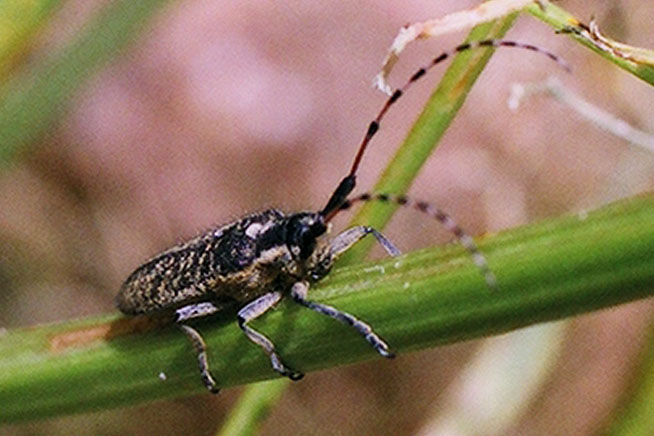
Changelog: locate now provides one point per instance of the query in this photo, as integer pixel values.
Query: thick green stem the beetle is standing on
(546, 271)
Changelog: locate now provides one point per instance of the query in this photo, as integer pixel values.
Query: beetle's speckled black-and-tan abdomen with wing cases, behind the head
(229, 262)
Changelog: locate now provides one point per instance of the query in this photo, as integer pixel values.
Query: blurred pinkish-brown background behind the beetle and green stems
(229, 107)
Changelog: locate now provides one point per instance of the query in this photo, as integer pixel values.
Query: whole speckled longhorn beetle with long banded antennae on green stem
(257, 260)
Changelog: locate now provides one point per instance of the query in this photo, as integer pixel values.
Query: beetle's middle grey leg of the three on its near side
(252, 311)
